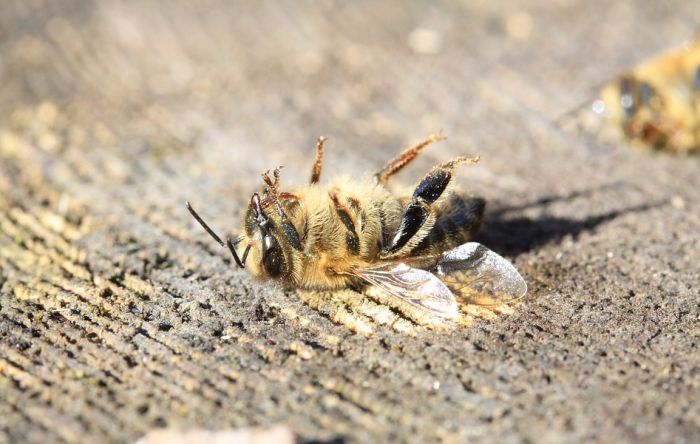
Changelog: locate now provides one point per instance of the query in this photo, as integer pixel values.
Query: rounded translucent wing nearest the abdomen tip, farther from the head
(480, 276)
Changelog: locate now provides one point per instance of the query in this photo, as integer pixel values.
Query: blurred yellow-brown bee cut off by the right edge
(657, 104)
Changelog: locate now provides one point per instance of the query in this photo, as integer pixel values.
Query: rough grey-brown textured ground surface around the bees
(117, 314)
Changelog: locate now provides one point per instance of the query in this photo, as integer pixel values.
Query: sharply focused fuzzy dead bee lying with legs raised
(356, 234)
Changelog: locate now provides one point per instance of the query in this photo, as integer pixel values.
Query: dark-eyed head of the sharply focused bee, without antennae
(266, 255)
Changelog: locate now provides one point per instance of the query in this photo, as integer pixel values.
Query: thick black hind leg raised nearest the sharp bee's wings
(420, 213)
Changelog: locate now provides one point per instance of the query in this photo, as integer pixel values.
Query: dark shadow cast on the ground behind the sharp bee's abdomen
(516, 235)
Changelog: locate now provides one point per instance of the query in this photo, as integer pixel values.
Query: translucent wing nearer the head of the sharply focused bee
(418, 287)
